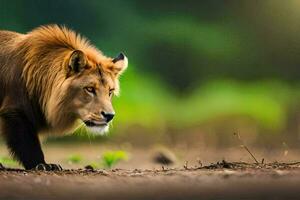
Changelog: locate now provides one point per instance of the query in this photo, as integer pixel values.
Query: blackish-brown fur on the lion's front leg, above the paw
(21, 138)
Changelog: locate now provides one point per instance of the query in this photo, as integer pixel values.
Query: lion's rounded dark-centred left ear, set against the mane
(77, 61)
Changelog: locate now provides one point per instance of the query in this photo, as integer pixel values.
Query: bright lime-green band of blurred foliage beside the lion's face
(148, 104)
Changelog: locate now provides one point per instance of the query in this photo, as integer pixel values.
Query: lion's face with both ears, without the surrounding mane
(92, 86)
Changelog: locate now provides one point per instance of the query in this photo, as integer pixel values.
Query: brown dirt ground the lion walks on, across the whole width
(195, 174)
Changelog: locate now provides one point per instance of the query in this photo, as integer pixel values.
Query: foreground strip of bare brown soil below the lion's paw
(222, 180)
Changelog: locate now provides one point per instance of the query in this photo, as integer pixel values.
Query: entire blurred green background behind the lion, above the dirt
(197, 68)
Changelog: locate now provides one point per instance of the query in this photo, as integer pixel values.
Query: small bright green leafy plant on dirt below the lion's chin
(111, 158)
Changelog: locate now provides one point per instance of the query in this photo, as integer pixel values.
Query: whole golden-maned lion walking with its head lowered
(50, 78)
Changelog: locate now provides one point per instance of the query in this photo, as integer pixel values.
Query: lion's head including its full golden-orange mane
(70, 78)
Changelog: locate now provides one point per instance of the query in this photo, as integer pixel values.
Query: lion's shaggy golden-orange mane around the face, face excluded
(46, 51)
